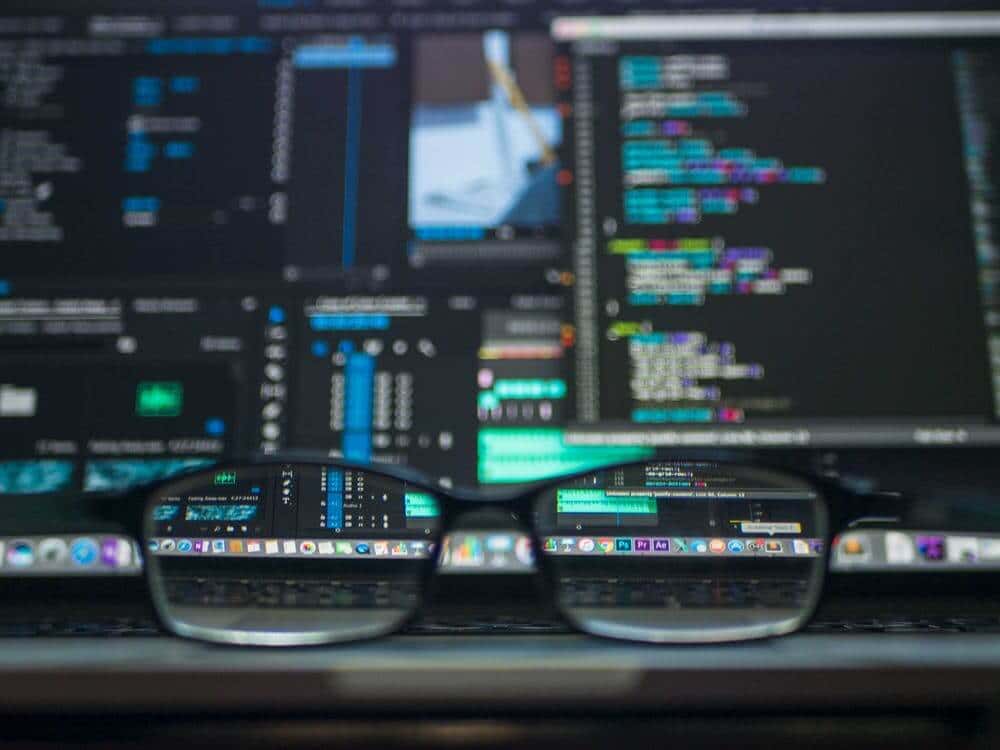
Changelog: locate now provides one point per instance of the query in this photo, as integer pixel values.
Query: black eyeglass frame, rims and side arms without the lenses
(127, 511)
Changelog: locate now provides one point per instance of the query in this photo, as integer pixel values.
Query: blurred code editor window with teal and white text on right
(735, 221)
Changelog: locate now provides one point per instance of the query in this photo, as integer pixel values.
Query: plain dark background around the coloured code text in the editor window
(891, 325)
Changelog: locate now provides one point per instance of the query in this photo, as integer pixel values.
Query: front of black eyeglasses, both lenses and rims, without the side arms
(283, 554)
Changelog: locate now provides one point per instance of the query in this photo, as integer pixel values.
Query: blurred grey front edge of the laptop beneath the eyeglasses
(468, 673)
